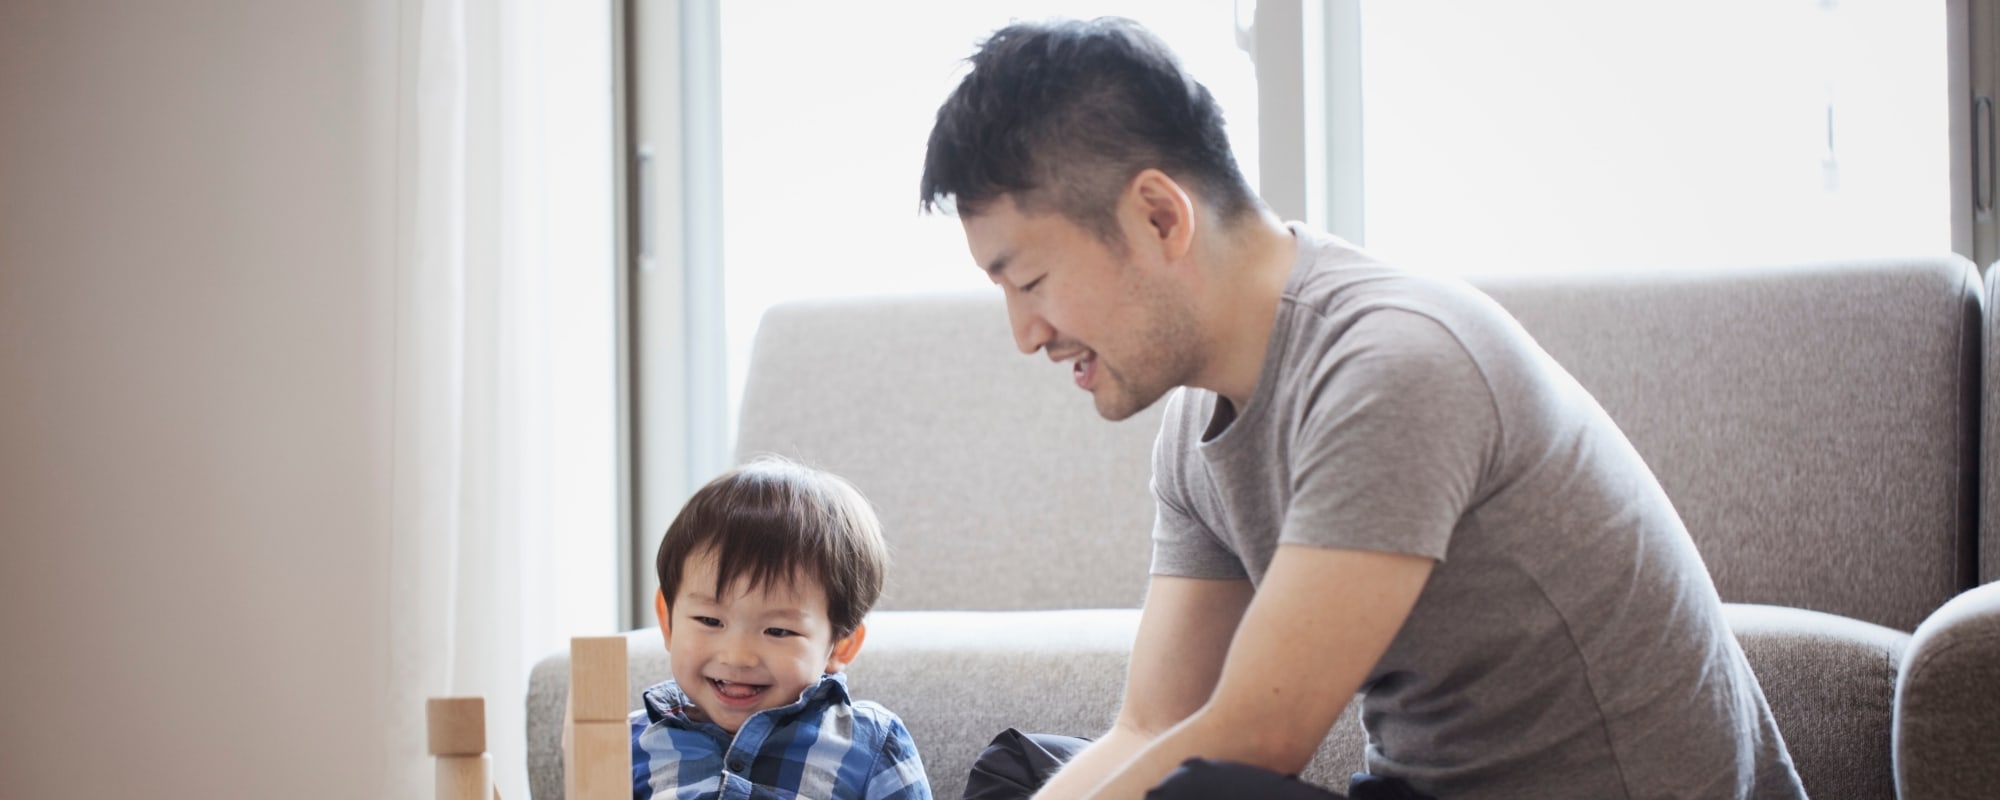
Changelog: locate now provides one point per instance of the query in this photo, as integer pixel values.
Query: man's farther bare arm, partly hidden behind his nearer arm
(1183, 637)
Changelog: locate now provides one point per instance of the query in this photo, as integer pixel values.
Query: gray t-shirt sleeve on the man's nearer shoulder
(1393, 443)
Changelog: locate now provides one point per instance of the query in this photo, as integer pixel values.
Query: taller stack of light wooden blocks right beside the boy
(597, 741)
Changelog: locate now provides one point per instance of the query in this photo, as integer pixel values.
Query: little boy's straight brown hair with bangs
(777, 521)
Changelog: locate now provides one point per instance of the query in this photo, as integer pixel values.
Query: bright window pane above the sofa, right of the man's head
(1577, 135)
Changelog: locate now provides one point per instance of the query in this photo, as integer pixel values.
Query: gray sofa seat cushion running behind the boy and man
(957, 679)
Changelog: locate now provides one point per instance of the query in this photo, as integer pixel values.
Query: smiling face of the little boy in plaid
(749, 649)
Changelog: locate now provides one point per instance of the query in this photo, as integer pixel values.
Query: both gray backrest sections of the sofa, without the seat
(1817, 429)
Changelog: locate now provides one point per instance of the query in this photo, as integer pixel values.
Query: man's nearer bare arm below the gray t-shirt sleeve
(1319, 625)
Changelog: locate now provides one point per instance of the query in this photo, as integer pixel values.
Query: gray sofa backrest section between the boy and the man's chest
(997, 483)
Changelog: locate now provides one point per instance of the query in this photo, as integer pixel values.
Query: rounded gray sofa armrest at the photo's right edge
(1949, 703)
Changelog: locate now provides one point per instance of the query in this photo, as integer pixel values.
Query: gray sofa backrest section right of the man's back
(1815, 427)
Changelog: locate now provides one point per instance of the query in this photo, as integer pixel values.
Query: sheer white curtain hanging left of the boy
(505, 487)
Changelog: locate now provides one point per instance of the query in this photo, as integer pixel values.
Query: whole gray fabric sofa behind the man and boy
(1819, 429)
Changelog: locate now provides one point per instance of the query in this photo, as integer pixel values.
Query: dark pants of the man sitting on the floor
(1017, 765)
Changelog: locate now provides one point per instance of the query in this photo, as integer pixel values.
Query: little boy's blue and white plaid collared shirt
(817, 749)
